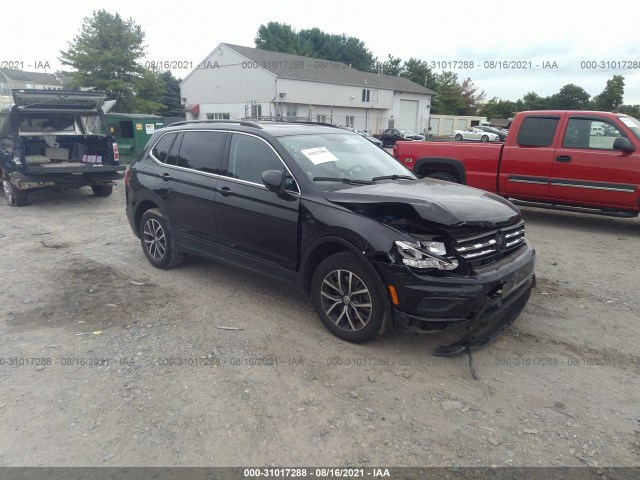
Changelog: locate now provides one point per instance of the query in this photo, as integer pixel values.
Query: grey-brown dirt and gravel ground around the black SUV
(107, 361)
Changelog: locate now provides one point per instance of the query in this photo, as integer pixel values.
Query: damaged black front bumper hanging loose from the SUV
(482, 305)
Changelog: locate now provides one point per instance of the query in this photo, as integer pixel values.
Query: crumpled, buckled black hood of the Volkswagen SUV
(434, 200)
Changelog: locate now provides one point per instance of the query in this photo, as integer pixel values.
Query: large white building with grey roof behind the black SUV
(236, 82)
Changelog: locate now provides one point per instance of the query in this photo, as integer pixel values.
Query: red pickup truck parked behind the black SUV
(570, 160)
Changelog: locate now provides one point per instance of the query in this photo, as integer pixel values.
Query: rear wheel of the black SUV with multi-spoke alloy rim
(157, 240)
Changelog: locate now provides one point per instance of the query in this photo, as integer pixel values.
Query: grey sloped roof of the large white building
(299, 67)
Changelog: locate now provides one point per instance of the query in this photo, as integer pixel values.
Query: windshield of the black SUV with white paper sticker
(341, 156)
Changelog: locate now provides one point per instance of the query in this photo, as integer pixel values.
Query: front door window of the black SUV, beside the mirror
(249, 157)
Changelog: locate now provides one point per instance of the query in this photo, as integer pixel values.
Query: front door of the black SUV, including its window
(257, 229)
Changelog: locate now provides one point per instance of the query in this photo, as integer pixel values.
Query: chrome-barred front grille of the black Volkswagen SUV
(491, 243)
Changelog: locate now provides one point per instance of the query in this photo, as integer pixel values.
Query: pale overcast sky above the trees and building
(535, 33)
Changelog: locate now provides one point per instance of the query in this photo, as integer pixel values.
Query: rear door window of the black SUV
(201, 151)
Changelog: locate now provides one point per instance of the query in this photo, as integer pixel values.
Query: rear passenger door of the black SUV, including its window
(187, 185)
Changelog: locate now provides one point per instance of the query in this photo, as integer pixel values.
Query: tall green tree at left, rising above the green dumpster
(105, 56)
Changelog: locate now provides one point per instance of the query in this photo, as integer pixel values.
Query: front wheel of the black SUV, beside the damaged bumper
(349, 299)
